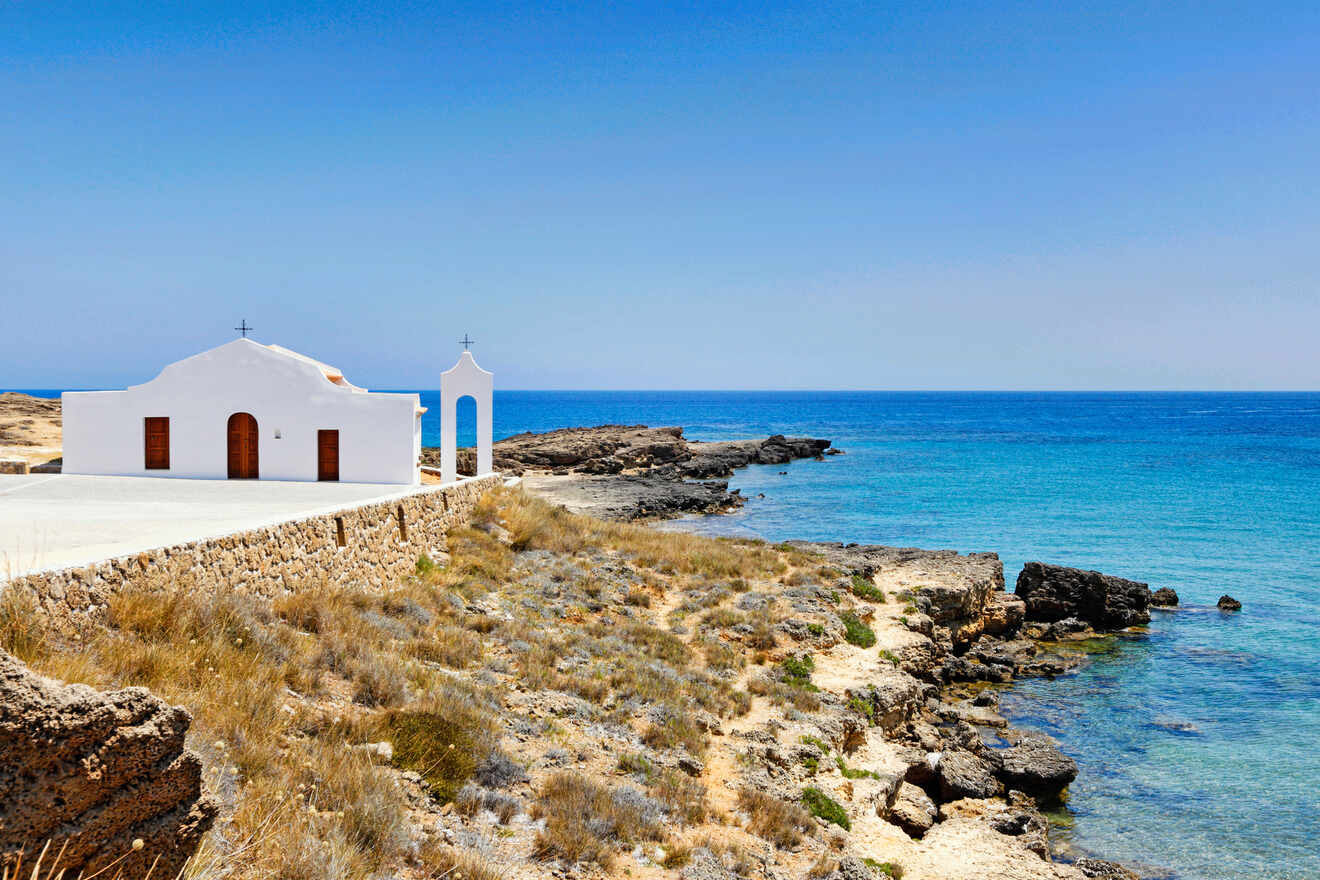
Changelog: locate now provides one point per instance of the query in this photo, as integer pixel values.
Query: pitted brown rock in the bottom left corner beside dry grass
(92, 772)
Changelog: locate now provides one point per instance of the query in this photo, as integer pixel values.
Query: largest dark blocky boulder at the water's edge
(1105, 602)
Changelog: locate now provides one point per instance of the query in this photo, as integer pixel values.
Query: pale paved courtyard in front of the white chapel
(56, 522)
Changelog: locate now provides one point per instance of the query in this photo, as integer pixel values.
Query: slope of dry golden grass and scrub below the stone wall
(534, 606)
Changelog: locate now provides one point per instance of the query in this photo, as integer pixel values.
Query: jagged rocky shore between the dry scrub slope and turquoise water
(970, 634)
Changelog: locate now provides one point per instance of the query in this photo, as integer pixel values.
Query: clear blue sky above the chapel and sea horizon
(674, 196)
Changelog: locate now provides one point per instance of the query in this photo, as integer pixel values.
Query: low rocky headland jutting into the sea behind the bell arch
(633, 472)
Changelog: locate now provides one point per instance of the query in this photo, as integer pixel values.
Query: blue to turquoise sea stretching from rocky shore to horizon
(1199, 742)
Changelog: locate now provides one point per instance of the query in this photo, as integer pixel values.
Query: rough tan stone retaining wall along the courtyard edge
(374, 544)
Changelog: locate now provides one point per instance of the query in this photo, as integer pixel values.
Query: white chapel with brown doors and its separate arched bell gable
(250, 411)
